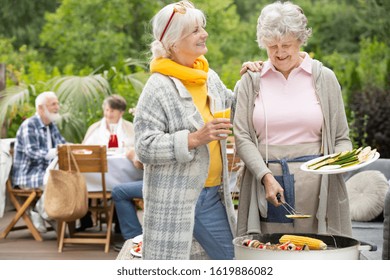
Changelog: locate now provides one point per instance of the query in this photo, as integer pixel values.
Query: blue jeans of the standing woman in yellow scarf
(212, 229)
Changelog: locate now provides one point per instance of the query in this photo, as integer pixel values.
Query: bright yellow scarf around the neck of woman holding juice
(196, 75)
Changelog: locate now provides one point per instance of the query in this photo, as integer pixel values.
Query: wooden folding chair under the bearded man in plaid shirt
(22, 200)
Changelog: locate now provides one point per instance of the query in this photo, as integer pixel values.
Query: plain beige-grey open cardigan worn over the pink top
(333, 211)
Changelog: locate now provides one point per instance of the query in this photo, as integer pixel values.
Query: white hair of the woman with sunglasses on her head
(180, 26)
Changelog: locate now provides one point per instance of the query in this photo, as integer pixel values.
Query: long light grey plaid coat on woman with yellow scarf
(174, 175)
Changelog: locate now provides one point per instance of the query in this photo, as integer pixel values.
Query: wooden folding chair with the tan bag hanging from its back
(90, 158)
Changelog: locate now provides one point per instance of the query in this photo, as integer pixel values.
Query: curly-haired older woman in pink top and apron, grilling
(290, 112)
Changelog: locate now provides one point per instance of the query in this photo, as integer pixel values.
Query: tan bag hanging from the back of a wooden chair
(66, 195)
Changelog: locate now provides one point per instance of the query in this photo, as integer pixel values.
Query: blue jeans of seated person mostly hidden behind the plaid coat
(123, 195)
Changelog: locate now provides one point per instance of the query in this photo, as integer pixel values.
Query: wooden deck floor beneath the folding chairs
(20, 245)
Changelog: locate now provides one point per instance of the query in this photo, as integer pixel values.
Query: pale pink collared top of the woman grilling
(292, 110)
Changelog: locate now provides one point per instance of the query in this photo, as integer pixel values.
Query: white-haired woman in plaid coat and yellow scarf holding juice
(182, 145)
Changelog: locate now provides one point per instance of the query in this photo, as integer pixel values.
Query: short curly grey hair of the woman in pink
(278, 20)
